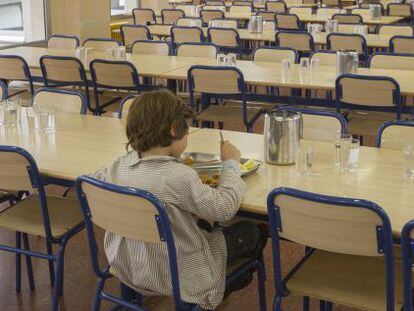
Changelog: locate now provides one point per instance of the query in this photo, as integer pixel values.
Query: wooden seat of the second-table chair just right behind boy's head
(226, 113)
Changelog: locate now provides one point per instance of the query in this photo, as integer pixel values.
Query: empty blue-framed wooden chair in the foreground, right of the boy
(347, 241)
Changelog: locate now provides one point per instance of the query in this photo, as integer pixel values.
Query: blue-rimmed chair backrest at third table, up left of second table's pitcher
(298, 40)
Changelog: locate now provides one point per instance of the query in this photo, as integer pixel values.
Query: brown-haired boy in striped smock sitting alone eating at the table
(157, 132)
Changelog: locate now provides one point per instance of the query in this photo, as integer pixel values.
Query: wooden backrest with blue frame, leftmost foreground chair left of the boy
(19, 171)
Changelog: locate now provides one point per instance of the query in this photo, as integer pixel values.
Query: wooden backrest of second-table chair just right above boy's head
(215, 80)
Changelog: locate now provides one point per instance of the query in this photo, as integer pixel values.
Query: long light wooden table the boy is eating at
(84, 143)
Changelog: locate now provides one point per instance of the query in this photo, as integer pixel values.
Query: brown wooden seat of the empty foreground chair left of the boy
(26, 216)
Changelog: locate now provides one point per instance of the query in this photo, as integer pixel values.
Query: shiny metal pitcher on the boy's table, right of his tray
(282, 134)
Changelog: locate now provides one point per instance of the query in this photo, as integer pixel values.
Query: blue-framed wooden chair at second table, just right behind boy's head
(220, 83)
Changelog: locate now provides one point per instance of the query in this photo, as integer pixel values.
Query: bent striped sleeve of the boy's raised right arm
(219, 204)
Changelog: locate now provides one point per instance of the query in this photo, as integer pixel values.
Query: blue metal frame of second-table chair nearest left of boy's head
(135, 77)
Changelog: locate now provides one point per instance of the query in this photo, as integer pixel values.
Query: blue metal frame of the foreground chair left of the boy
(56, 275)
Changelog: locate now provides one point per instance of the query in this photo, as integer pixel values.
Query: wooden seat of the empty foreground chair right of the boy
(356, 281)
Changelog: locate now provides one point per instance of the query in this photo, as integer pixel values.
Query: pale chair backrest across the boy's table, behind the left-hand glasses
(64, 100)
